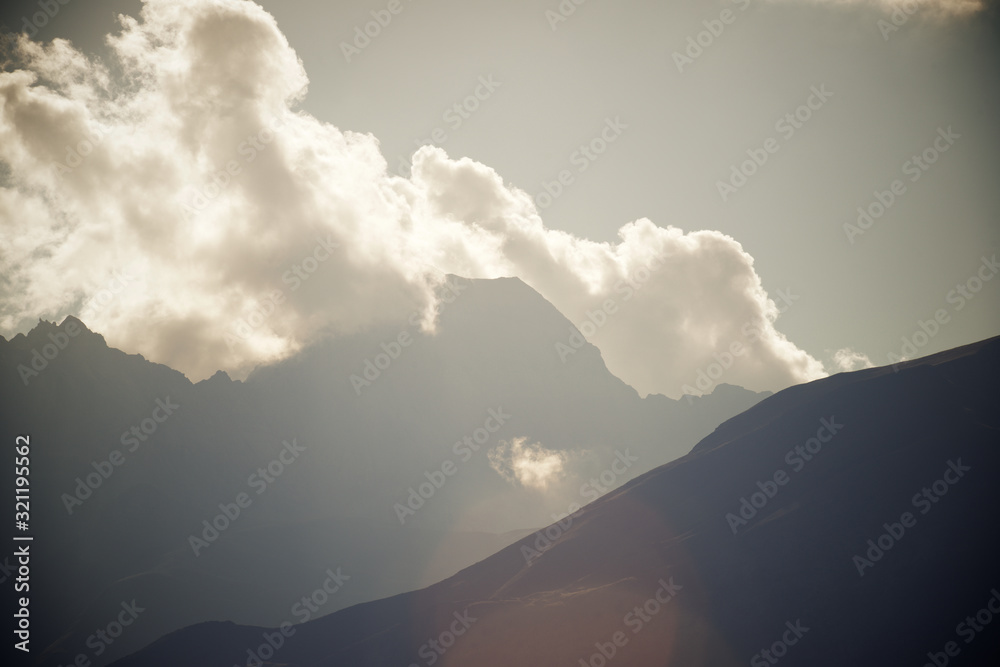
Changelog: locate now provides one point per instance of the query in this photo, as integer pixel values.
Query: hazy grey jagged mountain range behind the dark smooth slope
(324, 461)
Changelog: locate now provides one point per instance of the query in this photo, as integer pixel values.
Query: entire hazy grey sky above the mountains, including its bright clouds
(681, 180)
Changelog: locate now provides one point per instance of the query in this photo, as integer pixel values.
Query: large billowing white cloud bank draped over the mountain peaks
(251, 228)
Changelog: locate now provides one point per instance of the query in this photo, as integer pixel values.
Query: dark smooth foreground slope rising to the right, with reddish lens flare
(844, 522)
